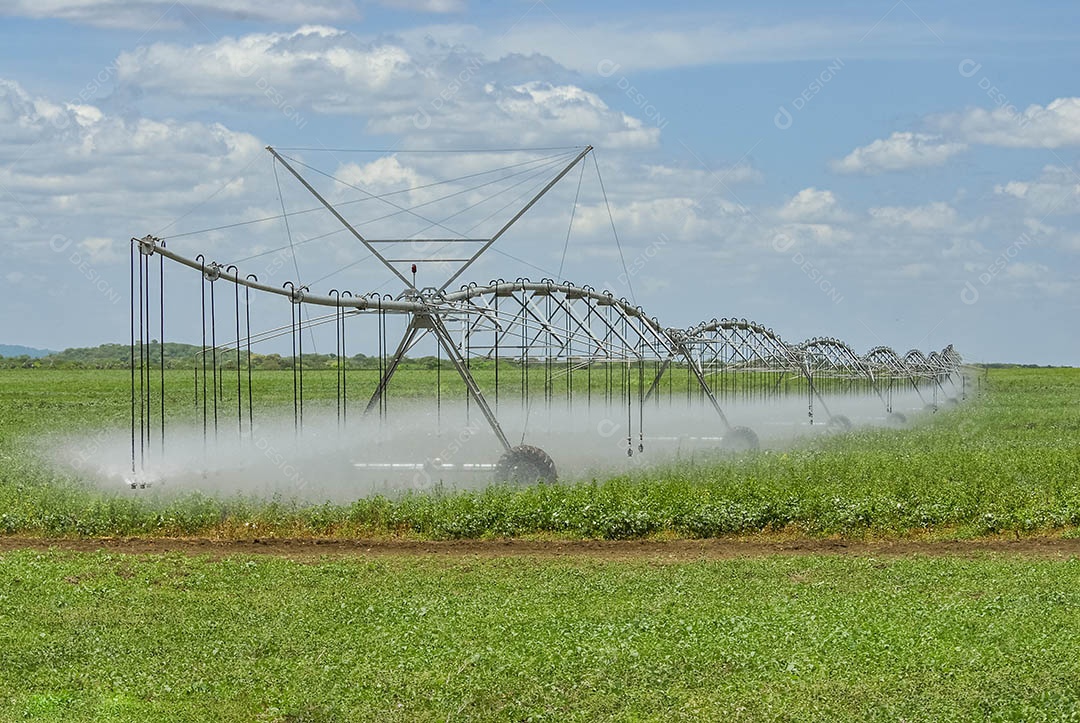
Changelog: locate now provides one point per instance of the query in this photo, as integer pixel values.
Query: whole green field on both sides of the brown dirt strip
(282, 638)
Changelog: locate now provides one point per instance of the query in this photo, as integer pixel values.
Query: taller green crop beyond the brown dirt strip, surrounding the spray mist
(1008, 462)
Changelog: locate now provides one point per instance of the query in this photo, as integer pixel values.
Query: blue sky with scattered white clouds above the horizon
(901, 173)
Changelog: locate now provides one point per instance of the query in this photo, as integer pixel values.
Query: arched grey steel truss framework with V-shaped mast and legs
(519, 328)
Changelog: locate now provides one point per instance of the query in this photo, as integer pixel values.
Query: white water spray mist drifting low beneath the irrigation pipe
(421, 448)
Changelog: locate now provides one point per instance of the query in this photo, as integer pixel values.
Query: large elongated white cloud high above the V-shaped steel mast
(434, 95)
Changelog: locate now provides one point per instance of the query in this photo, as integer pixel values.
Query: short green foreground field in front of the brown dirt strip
(99, 637)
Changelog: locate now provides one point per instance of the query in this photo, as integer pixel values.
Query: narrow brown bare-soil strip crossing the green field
(681, 551)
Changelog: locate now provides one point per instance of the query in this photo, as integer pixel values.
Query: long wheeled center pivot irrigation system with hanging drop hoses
(528, 343)
